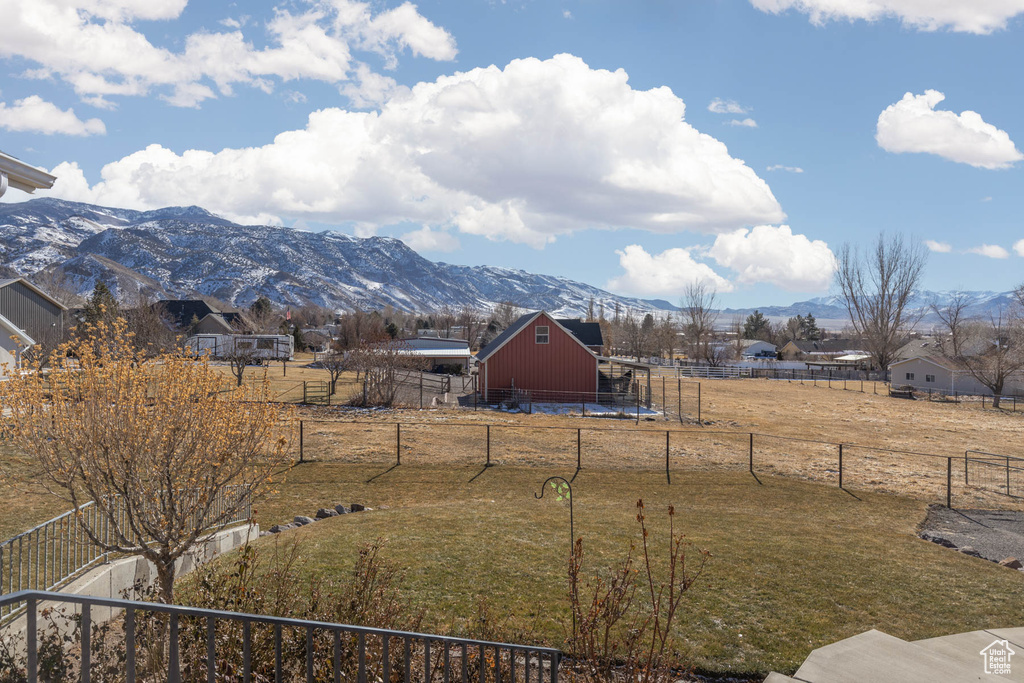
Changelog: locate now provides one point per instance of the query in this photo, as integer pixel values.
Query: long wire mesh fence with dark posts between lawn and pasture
(850, 466)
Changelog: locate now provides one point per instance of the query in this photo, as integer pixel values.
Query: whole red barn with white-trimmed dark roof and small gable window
(540, 355)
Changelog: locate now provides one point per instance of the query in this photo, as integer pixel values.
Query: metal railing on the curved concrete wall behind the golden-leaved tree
(53, 553)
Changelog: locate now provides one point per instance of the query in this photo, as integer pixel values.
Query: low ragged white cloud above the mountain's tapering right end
(667, 274)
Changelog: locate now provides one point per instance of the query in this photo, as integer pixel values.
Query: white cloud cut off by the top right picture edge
(979, 17)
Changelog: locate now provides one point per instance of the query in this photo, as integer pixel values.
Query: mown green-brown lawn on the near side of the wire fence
(796, 566)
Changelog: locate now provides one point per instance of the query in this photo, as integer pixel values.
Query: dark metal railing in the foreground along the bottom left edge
(326, 652)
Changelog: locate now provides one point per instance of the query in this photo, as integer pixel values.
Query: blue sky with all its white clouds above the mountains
(634, 146)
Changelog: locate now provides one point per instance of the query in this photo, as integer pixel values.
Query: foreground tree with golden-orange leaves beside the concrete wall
(152, 442)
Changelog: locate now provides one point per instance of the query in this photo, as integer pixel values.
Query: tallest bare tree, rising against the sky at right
(877, 288)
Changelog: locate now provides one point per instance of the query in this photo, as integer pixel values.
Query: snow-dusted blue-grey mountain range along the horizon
(180, 251)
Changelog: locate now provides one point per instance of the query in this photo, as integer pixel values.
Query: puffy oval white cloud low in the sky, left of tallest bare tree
(776, 255)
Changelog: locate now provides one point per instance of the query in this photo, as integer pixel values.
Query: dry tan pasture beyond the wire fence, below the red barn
(797, 432)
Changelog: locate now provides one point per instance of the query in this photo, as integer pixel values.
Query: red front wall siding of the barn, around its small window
(562, 365)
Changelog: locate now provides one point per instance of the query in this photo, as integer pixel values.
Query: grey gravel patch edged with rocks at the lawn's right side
(996, 535)
